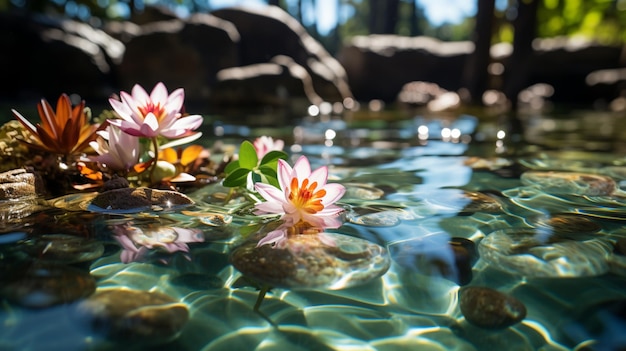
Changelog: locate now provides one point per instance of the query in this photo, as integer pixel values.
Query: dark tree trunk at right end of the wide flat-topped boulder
(475, 75)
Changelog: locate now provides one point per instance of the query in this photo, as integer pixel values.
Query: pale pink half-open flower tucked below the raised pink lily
(116, 150)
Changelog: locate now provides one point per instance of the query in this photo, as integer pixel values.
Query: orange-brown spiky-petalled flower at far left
(66, 131)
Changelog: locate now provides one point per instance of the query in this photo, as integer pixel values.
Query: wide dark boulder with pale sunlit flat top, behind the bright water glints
(378, 66)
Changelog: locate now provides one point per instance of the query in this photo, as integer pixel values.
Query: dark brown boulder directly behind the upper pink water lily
(180, 53)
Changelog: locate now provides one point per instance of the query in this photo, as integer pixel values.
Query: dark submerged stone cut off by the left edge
(41, 284)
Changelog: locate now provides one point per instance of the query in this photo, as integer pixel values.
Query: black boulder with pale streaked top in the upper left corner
(45, 56)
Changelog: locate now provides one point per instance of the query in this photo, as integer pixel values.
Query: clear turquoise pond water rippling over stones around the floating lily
(458, 234)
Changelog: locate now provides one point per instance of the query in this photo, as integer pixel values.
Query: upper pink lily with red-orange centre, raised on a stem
(156, 114)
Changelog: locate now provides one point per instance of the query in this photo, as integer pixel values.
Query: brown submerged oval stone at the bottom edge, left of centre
(134, 315)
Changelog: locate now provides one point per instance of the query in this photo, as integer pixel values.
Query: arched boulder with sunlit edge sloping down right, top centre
(268, 32)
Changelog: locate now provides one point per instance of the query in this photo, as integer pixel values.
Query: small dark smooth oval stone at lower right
(489, 308)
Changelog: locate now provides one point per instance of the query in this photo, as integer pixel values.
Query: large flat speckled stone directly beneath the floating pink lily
(308, 261)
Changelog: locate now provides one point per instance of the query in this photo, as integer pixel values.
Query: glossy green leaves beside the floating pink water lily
(248, 165)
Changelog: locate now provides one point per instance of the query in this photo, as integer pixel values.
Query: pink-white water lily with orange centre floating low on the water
(303, 200)
